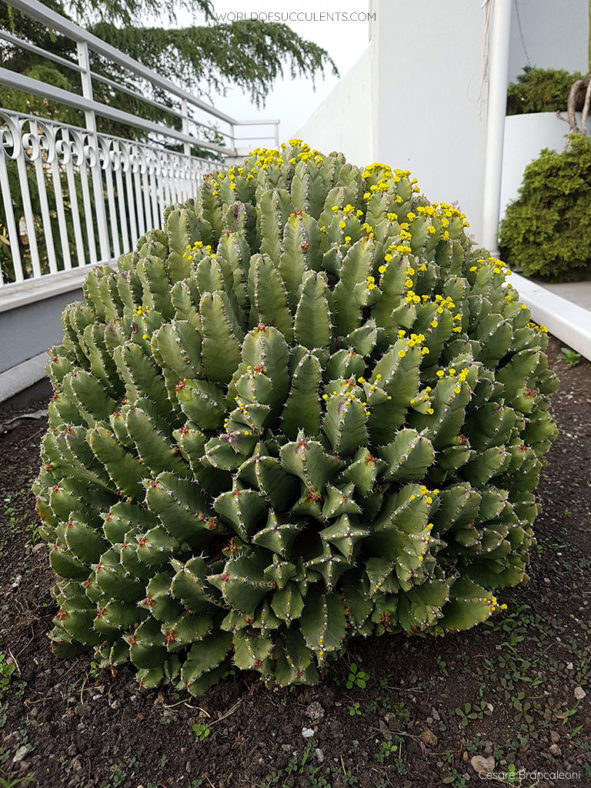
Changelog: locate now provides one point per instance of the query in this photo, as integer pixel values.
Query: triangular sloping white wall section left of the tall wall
(344, 120)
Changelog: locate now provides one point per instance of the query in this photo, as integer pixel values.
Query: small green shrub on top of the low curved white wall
(540, 90)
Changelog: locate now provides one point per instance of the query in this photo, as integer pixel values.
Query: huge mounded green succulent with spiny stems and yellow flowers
(307, 410)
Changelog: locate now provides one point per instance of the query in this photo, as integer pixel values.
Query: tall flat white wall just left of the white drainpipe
(431, 93)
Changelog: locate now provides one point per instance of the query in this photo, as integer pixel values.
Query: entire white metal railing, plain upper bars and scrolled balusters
(75, 195)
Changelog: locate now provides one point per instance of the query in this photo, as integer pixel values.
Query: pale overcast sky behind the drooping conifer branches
(293, 101)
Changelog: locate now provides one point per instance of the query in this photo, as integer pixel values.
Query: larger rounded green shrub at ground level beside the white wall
(547, 230)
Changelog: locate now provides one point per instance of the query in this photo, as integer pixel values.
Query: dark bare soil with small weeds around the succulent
(69, 724)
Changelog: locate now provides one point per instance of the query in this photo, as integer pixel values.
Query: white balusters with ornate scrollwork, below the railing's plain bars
(53, 178)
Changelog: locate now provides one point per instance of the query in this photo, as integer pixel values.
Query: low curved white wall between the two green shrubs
(525, 137)
